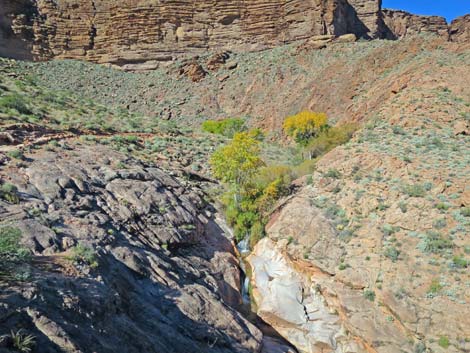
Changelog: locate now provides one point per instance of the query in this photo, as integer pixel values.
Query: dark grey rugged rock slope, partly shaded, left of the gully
(165, 275)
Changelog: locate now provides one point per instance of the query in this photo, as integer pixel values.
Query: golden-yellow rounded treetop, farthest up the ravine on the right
(305, 125)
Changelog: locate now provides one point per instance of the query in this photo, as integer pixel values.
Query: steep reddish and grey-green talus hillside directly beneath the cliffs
(351, 81)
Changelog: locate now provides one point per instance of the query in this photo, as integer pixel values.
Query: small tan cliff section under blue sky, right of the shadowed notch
(401, 24)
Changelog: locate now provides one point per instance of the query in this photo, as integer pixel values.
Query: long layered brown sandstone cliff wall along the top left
(139, 31)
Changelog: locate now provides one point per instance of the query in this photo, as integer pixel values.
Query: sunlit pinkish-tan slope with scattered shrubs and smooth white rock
(372, 255)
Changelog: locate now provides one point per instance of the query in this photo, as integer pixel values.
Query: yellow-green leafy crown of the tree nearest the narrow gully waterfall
(238, 161)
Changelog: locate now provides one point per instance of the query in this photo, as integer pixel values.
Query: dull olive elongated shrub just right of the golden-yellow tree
(328, 139)
